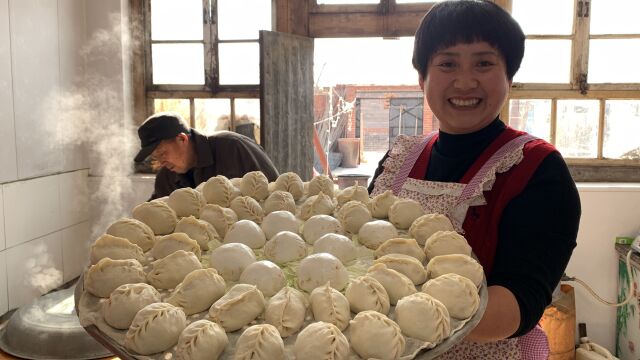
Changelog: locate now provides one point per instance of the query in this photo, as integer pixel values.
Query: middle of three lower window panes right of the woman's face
(577, 128)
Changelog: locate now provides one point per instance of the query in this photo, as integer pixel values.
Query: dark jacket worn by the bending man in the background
(224, 153)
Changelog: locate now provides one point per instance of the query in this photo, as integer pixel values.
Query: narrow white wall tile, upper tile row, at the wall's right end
(74, 197)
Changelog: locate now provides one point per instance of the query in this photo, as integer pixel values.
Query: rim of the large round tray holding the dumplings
(421, 354)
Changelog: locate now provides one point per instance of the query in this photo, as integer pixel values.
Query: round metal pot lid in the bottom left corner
(48, 328)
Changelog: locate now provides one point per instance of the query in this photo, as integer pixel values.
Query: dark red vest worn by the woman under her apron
(481, 223)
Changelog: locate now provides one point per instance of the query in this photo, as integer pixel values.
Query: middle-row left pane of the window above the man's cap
(178, 63)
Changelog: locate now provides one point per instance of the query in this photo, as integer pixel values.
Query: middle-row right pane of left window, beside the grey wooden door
(239, 63)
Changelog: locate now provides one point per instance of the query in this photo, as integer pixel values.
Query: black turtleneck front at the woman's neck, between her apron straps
(453, 154)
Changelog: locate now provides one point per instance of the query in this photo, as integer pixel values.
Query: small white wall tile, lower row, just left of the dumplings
(75, 249)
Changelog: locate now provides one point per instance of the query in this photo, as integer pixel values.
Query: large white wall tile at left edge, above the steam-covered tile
(32, 209)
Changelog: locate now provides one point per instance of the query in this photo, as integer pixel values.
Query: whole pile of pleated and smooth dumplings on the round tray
(149, 270)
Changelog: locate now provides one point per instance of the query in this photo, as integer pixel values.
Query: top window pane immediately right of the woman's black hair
(558, 21)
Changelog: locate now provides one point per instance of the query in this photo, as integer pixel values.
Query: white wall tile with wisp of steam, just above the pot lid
(34, 268)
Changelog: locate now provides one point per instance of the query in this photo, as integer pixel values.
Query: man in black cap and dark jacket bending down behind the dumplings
(188, 158)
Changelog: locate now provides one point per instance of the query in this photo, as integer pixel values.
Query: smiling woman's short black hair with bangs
(466, 21)
